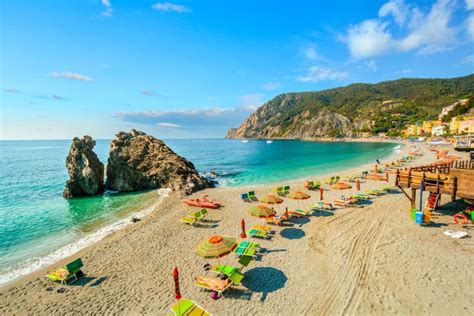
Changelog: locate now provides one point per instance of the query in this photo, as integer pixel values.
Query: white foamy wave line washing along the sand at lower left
(35, 264)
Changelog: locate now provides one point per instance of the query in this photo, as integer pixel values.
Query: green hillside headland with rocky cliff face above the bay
(385, 107)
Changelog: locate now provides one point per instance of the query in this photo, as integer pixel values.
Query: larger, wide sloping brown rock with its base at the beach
(139, 162)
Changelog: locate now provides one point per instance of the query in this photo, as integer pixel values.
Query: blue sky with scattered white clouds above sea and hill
(196, 68)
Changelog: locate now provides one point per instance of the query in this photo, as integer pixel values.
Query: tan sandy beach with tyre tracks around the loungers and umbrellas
(355, 260)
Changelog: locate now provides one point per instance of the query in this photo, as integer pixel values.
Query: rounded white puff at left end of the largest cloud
(369, 38)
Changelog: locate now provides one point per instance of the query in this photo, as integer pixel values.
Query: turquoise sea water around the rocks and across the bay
(35, 219)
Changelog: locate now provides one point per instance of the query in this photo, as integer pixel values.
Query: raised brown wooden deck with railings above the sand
(454, 178)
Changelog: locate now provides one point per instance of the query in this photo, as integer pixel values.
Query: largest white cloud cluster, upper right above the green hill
(429, 33)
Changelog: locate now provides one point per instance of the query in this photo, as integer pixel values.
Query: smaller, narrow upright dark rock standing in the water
(86, 172)
